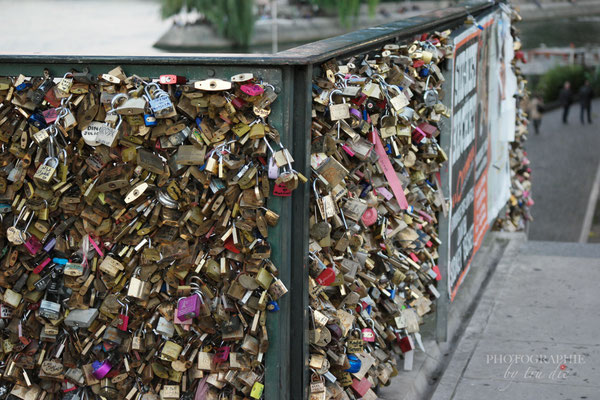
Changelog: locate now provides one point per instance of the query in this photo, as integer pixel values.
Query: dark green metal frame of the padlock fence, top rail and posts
(291, 73)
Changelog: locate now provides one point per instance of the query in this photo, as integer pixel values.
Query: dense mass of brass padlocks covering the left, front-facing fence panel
(87, 224)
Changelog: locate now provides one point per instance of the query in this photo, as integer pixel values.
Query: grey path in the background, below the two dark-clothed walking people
(564, 159)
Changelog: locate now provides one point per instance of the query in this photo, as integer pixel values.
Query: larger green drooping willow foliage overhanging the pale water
(233, 19)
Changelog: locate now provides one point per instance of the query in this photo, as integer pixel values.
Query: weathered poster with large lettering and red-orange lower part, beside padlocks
(469, 148)
